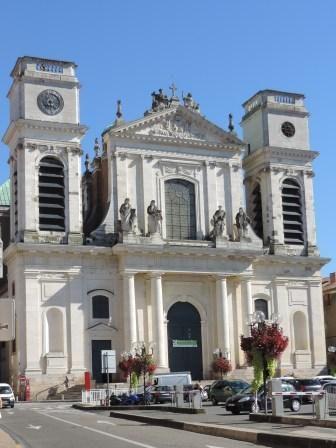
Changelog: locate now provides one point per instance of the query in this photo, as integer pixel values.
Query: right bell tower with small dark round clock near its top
(278, 170)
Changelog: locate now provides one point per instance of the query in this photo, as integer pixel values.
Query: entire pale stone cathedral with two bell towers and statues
(175, 235)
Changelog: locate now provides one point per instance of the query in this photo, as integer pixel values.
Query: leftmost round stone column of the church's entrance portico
(130, 322)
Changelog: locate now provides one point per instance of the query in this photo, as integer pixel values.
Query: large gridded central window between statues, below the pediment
(180, 211)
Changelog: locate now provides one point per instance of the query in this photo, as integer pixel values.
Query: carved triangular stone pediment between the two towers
(177, 124)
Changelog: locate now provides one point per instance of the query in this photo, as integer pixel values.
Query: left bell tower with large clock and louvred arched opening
(45, 155)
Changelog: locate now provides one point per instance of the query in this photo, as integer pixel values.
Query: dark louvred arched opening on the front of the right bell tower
(292, 212)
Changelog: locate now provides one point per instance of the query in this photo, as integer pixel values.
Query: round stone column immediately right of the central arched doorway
(223, 322)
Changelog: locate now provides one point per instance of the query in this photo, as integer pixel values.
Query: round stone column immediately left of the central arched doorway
(158, 321)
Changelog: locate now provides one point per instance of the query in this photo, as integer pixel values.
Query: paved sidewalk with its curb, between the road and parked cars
(286, 432)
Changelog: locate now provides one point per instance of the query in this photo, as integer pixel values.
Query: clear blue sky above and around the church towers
(222, 51)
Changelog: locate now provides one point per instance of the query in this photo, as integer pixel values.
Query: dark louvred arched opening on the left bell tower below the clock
(51, 195)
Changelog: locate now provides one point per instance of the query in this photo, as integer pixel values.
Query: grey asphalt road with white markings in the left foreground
(51, 425)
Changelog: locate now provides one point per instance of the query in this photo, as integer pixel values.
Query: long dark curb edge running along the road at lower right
(245, 435)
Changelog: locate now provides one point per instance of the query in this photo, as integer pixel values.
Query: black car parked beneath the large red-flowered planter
(249, 401)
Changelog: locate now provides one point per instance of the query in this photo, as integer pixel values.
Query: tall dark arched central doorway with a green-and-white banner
(185, 340)
